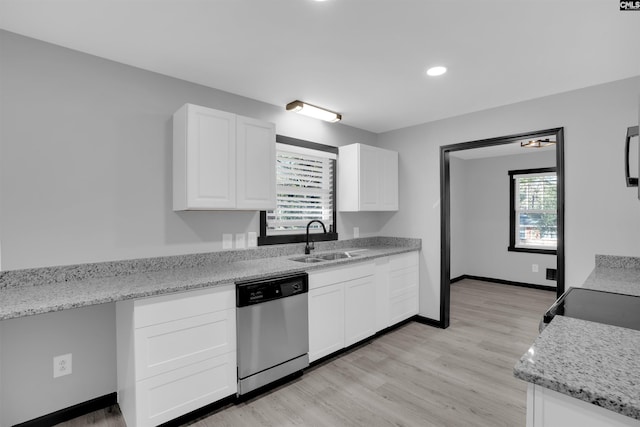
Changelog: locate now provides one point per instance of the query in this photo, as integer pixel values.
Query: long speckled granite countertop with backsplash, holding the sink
(44, 290)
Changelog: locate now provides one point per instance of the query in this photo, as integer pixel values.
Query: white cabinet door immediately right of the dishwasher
(326, 320)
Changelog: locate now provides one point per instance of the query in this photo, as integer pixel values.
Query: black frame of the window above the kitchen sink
(263, 239)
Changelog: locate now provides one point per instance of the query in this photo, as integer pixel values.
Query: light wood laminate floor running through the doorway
(416, 375)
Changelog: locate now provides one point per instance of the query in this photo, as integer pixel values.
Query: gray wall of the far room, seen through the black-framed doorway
(480, 208)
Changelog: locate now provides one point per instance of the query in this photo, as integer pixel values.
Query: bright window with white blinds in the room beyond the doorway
(536, 210)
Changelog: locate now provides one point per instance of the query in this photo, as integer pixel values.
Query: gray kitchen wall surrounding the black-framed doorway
(601, 213)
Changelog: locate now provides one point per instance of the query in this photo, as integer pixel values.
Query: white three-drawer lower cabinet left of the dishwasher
(176, 353)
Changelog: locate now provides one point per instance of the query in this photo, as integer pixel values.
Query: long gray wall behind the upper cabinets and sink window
(85, 176)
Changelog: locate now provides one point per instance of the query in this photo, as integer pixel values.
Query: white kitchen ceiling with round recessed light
(363, 58)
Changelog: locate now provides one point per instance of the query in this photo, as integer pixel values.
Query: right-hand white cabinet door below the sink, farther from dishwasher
(360, 309)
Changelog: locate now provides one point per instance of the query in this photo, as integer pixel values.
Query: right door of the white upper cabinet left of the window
(255, 164)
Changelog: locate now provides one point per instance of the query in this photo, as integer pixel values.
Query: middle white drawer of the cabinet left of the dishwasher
(171, 345)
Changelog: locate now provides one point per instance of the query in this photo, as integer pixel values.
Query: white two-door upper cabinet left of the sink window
(222, 161)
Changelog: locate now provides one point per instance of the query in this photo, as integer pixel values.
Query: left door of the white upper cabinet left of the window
(208, 162)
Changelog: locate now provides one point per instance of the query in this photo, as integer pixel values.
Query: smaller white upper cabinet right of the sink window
(367, 179)
